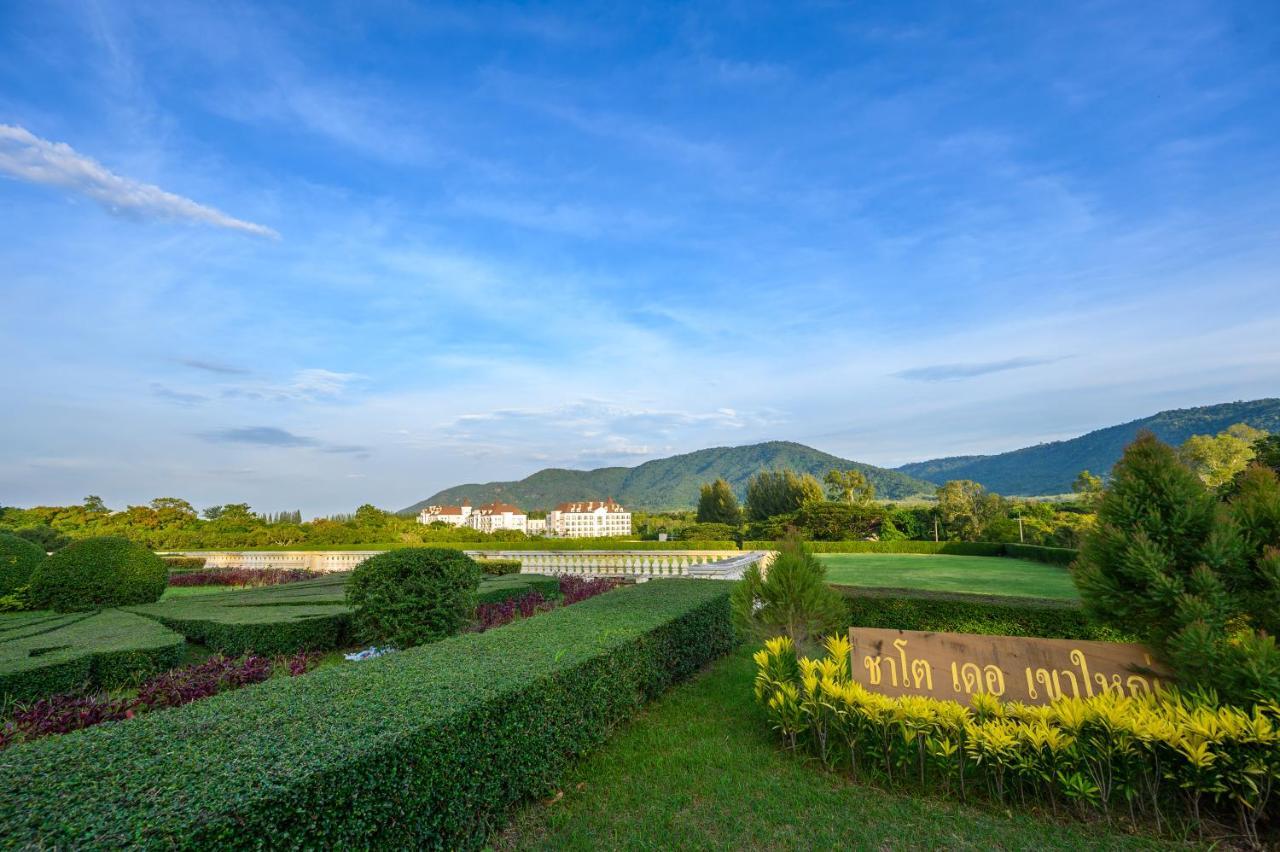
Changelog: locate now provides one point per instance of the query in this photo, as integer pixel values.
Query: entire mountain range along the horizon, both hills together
(673, 483)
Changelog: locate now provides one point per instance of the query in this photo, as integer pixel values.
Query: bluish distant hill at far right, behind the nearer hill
(1050, 469)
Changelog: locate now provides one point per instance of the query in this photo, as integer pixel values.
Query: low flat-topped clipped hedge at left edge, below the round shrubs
(44, 653)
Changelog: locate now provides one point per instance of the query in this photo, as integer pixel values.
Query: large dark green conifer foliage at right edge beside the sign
(1200, 580)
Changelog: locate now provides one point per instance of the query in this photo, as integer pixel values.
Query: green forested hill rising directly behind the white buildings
(670, 483)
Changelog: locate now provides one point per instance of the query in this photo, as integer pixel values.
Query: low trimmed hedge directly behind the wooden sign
(953, 613)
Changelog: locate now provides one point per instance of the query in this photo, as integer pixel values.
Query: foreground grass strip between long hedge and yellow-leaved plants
(700, 769)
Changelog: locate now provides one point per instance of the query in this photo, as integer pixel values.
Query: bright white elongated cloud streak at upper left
(26, 157)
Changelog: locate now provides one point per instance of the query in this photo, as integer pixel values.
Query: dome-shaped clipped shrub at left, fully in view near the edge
(99, 572)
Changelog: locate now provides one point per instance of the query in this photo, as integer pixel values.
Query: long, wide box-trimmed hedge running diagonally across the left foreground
(429, 748)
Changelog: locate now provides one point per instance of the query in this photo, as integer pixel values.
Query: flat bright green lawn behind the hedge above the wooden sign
(975, 575)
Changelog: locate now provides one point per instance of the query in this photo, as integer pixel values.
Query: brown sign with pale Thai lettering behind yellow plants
(1035, 671)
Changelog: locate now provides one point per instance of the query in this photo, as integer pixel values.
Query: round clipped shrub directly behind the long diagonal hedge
(413, 597)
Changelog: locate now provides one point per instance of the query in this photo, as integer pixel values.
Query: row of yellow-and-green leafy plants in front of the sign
(1150, 757)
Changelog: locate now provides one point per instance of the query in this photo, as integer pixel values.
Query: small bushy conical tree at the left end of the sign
(792, 598)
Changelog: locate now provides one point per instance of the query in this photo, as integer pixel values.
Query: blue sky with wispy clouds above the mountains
(318, 255)
